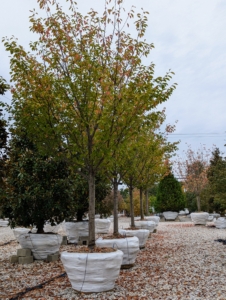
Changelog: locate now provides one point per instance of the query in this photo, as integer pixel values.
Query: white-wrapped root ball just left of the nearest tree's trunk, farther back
(76, 229)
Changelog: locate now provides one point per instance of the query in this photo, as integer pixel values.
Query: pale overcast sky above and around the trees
(189, 38)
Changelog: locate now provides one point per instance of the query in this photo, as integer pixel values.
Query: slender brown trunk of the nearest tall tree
(91, 209)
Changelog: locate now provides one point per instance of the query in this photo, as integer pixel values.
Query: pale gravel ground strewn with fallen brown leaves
(180, 261)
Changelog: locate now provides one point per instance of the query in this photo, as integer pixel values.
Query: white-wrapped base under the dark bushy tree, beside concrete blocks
(40, 244)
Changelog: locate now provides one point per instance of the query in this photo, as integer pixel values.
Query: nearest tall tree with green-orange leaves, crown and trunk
(83, 86)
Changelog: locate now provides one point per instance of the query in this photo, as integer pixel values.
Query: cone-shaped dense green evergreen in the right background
(170, 196)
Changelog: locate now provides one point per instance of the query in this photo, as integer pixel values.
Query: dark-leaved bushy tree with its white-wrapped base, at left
(38, 189)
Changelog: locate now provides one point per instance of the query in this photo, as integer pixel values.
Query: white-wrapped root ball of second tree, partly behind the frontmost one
(129, 246)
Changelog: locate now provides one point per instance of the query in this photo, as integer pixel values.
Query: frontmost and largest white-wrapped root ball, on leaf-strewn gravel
(92, 272)
